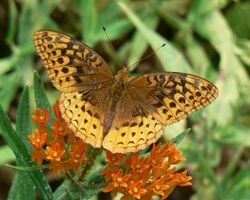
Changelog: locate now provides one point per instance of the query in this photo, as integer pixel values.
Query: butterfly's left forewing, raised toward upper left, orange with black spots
(71, 65)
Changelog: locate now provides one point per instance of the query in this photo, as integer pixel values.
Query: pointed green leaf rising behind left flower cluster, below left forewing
(41, 98)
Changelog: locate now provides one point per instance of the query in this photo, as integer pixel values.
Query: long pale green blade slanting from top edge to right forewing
(169, 56)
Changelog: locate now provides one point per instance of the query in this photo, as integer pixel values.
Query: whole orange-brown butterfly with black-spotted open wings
(112, 111)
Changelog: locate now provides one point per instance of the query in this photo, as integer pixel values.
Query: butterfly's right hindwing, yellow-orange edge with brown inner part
(133, 128)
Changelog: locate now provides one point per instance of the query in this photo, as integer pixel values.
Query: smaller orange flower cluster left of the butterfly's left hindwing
(61, 149)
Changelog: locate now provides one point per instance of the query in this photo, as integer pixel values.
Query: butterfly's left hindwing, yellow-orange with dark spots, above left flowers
(84, 113)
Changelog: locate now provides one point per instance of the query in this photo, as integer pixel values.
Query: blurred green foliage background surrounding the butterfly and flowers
(209, 38)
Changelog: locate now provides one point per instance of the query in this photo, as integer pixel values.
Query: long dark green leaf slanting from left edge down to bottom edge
(16, 144)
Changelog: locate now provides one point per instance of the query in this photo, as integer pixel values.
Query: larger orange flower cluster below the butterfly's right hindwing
(138, 177)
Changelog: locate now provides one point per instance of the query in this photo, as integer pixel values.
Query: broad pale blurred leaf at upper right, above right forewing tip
(215, 29)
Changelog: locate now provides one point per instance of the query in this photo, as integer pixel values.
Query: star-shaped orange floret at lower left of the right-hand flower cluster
(119, 182)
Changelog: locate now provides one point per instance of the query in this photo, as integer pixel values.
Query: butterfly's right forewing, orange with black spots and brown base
(173, 95)
